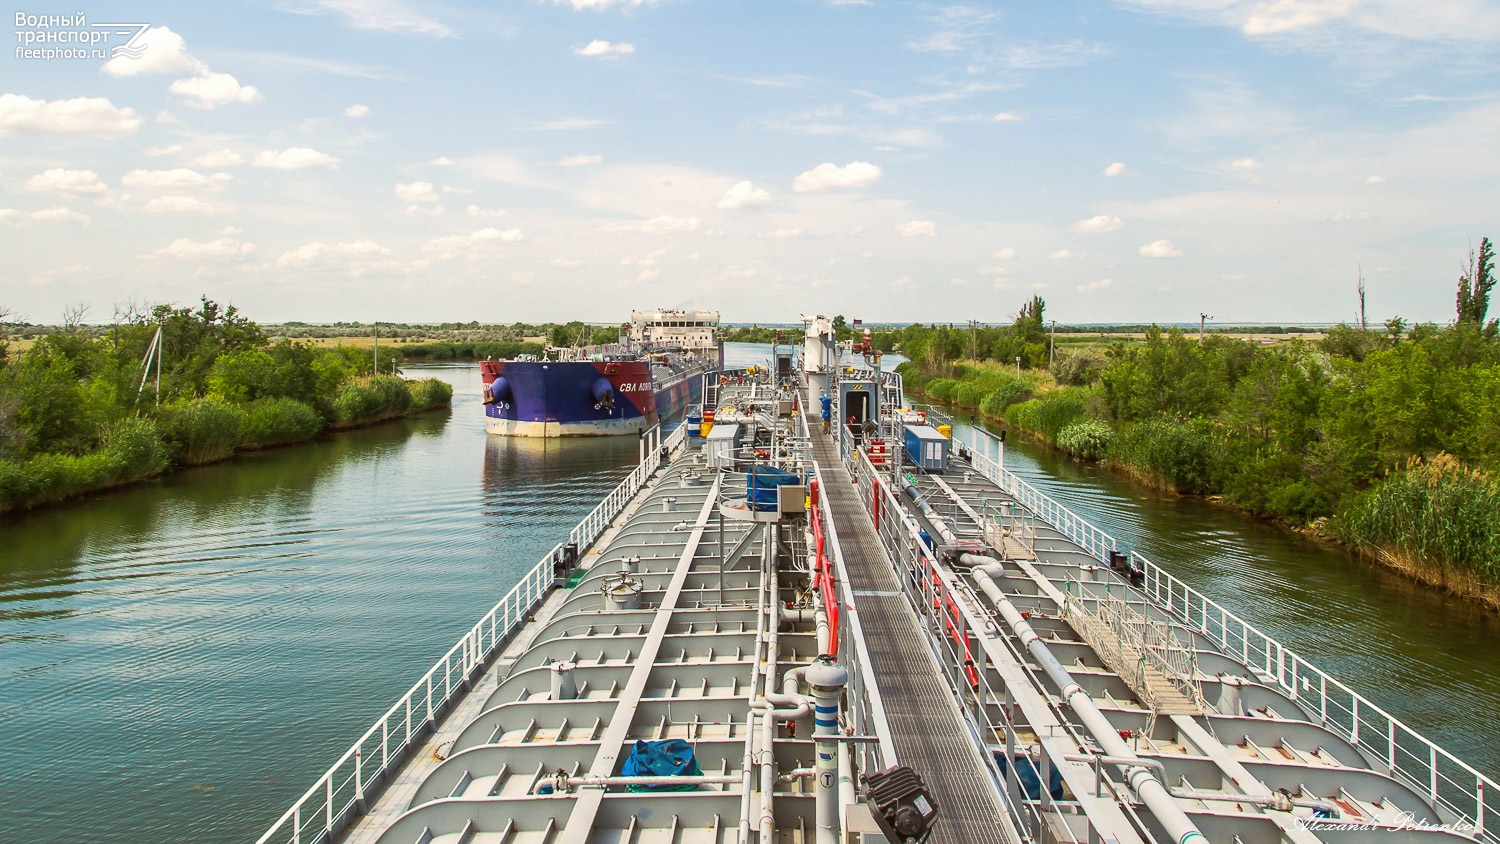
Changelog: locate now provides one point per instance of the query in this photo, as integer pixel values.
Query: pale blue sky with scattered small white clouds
(892, 161)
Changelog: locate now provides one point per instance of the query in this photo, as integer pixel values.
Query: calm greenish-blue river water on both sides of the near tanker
(181, 660)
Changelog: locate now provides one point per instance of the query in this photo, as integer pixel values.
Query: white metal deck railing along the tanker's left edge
(343, 792)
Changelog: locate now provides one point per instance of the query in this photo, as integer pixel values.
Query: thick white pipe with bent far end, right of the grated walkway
(1151, 791)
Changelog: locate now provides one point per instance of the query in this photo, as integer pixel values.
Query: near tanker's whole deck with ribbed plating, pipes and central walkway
(803, 617)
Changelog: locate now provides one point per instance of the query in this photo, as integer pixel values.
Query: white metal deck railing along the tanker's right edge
(1469, 798)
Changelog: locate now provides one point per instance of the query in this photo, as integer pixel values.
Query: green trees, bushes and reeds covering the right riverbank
(1384, 438)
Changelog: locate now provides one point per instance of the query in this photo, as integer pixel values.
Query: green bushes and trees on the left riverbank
(82, 412)
